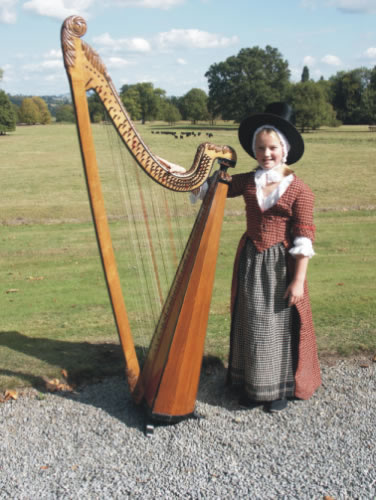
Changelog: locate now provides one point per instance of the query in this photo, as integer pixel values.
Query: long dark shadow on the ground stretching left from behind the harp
(97, 370)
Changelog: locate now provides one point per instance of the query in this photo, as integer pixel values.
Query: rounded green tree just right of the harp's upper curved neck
(142, 100)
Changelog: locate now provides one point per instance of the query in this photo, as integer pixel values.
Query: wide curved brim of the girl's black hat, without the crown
(249, 126)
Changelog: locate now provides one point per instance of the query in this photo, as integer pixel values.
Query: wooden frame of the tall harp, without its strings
(169, 378)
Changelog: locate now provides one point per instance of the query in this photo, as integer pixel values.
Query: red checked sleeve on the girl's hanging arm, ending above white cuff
(302, 215)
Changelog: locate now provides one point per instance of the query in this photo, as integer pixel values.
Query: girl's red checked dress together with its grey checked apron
(273, 351)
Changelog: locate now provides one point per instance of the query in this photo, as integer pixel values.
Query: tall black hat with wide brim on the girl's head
(279, 115)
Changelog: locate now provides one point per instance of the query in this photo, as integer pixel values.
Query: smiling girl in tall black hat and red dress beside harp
(273, 353)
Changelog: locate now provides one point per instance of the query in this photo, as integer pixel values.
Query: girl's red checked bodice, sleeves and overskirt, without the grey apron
(290, 217)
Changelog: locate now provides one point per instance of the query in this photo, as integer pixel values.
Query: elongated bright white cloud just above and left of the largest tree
(193, 38)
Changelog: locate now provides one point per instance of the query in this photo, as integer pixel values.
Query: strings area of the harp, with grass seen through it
(170, 219)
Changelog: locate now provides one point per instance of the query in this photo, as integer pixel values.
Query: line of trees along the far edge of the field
(242, 84)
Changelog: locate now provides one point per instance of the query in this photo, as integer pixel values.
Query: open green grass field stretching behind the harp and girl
(54, 309)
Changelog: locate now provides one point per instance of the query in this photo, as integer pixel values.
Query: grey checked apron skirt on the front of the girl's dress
(264, 331)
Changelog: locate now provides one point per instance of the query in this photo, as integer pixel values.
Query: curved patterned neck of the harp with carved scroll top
(87, 72)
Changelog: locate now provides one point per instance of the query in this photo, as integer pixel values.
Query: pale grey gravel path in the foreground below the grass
(91, 445)
